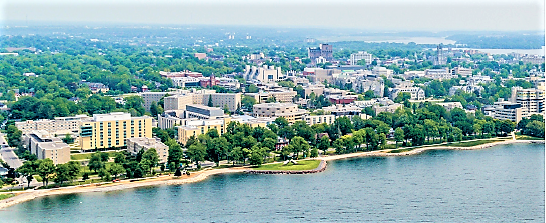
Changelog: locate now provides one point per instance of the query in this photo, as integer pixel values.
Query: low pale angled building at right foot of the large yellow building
(134, 145)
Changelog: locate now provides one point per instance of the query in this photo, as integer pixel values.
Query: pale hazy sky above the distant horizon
(414, 15)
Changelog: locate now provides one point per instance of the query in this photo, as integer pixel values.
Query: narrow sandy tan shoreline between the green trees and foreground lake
(22, 196)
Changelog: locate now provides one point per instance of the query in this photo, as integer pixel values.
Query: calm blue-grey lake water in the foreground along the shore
(501, 184)
